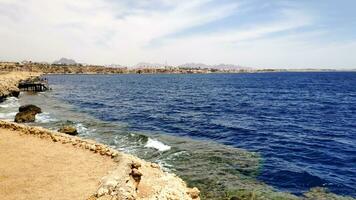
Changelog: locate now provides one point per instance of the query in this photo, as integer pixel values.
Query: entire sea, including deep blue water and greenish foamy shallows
(291, 130)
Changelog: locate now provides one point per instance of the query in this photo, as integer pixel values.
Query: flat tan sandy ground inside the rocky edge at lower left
(34, 168)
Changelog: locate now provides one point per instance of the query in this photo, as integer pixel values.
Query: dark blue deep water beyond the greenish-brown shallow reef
(302, 124)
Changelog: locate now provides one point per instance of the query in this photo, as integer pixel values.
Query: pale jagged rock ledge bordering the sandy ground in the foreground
(133, 178)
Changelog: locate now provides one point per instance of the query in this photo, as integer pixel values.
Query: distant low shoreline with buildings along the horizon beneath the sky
(47, 68)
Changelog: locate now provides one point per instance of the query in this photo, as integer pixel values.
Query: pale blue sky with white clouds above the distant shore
(251, 33)
